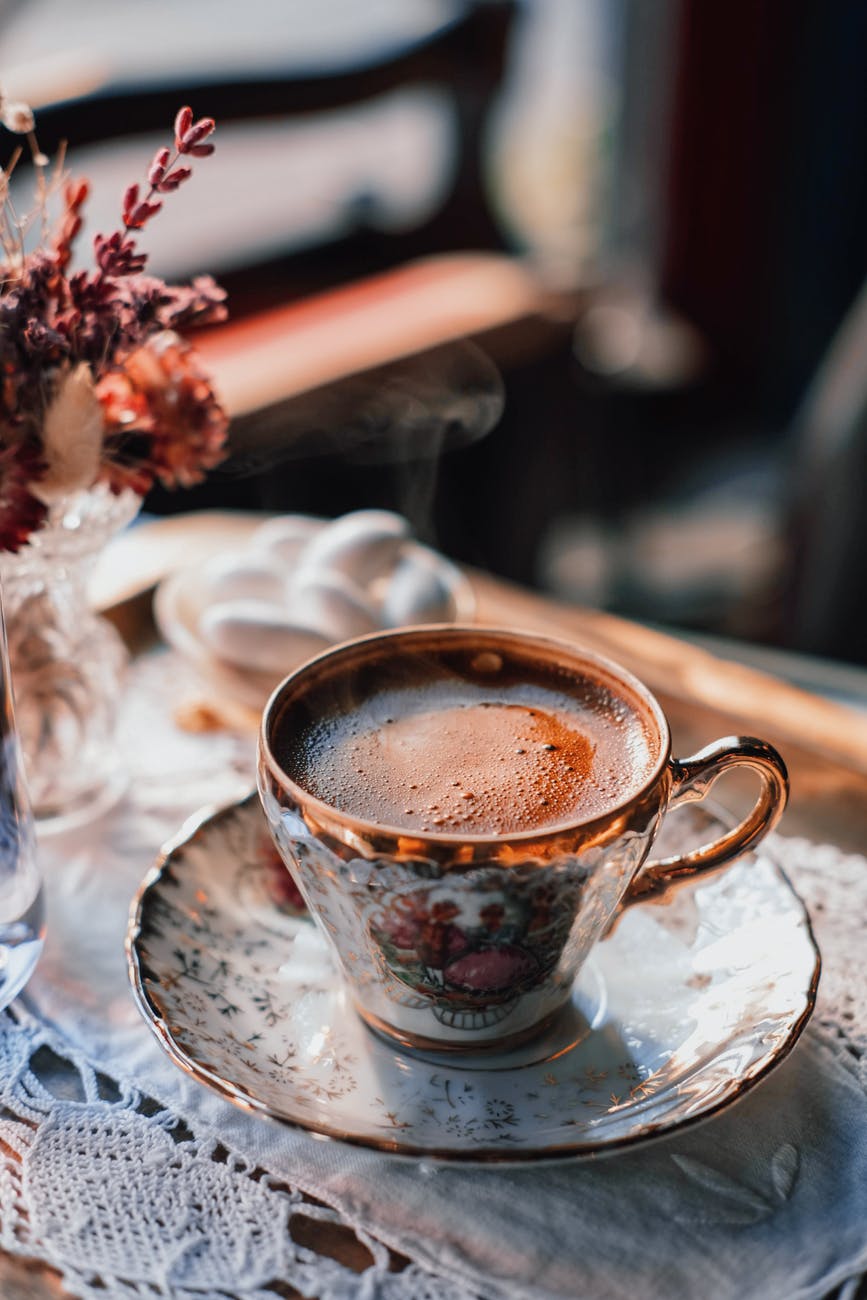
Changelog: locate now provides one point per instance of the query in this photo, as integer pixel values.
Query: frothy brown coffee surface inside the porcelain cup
(487, 753)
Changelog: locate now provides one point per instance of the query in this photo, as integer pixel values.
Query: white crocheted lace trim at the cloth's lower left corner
(124, 1201)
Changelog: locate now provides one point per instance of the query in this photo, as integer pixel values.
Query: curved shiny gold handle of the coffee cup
(692, 778)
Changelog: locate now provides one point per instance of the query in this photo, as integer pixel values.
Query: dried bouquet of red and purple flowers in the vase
(97, 382)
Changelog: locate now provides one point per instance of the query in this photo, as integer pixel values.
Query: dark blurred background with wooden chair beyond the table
(649, 218)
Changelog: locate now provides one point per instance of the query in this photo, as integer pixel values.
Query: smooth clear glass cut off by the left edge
(21, 908)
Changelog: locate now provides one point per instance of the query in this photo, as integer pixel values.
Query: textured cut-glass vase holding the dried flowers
(67, 661)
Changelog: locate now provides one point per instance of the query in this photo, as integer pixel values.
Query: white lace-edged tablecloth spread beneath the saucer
(133, 1181)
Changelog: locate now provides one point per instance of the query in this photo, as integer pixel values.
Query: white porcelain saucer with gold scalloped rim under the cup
(677, 1015)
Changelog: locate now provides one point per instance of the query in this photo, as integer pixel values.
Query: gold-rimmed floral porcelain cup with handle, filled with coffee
(465, 928)
